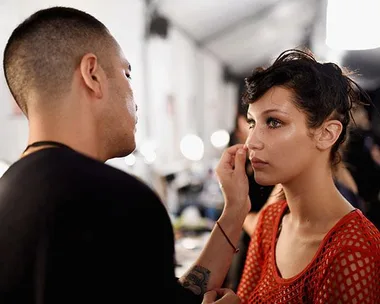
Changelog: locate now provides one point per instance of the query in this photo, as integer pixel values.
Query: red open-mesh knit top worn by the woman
(345, 269)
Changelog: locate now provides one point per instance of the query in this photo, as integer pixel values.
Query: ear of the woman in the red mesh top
(328, 134)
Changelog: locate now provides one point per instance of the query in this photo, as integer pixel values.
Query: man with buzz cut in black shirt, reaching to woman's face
(73, 229)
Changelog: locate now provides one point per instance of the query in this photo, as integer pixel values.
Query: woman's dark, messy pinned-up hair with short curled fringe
(321, 90)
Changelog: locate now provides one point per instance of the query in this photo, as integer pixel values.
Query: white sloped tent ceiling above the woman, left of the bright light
(244, 33)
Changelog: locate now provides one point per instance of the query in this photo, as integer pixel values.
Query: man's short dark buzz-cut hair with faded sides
(43, 52)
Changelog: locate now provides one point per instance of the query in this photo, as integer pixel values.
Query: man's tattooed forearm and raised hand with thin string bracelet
(209, 270)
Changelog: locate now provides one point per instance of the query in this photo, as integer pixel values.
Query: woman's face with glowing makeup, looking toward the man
(279, 142)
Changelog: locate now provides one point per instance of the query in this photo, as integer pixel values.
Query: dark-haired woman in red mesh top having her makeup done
(314, 246)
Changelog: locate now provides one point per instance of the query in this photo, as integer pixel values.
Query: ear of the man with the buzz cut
(92, 74)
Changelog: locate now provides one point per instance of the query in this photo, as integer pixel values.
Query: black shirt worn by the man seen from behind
(75, 230)
